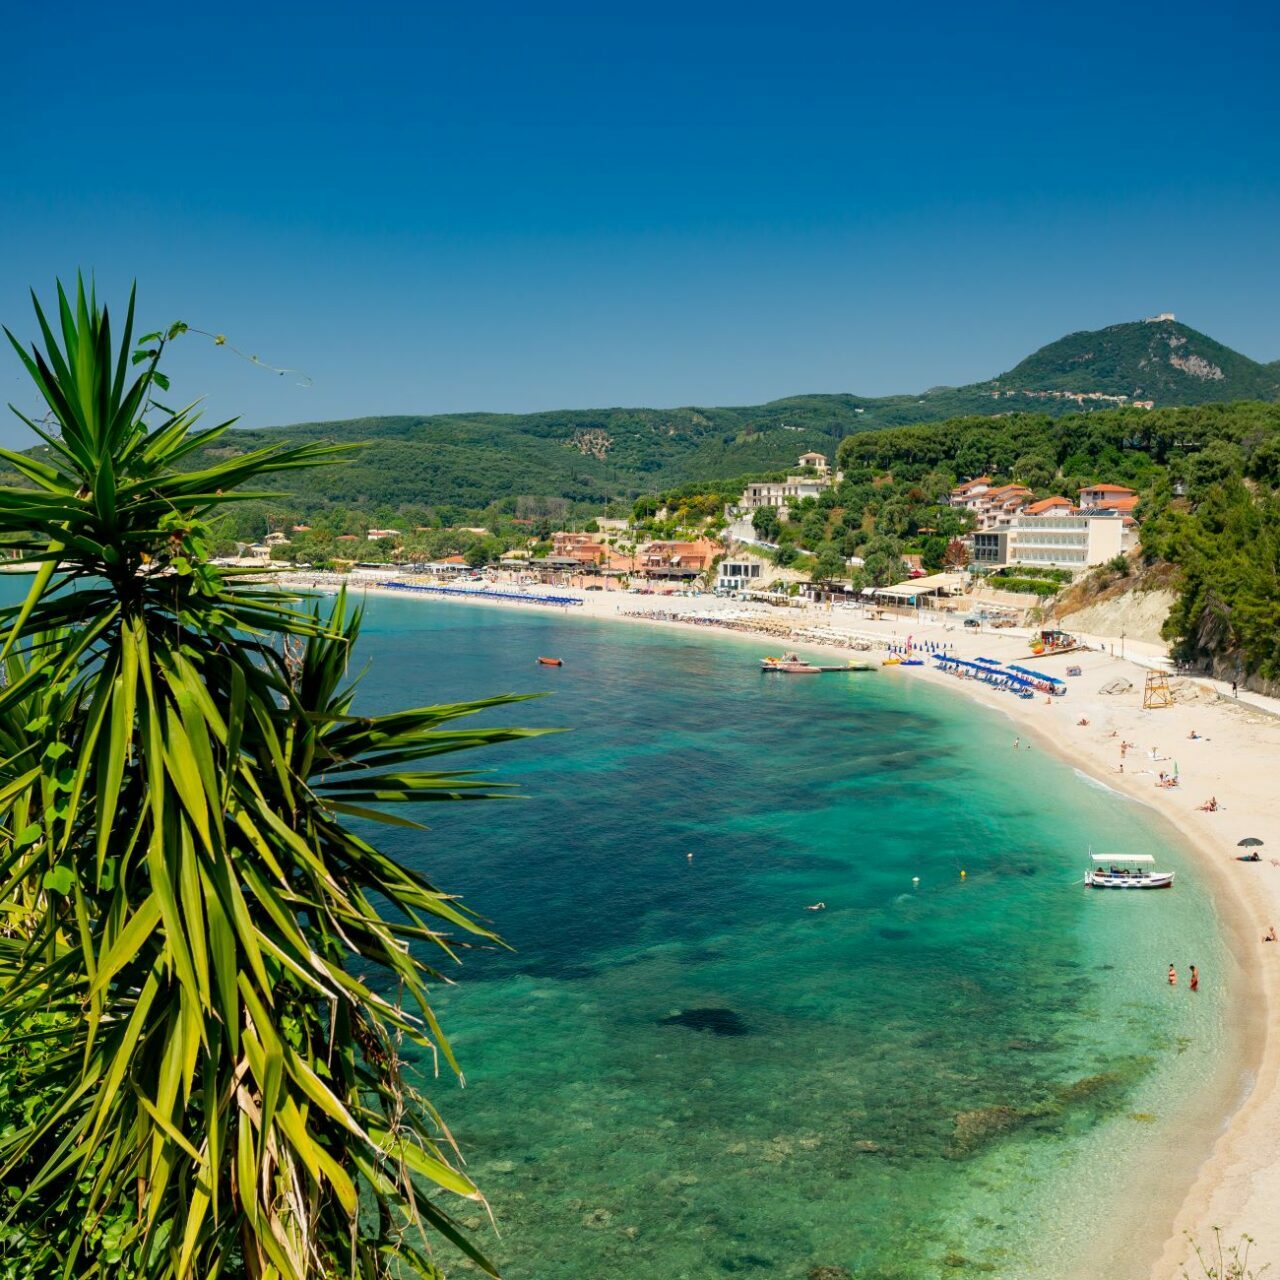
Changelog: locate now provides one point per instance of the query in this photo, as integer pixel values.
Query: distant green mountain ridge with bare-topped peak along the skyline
(596, 456)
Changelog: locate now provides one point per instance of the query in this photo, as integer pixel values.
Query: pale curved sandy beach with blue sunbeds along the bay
(1219, 747)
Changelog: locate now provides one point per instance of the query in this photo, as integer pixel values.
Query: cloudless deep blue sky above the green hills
(433, 208)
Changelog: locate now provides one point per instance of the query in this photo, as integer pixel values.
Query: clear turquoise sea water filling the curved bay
(680, 1073)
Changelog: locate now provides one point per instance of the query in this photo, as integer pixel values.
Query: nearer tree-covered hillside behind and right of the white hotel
(1210, 483)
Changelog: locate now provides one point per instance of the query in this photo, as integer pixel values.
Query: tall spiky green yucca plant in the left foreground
(208, 975)
